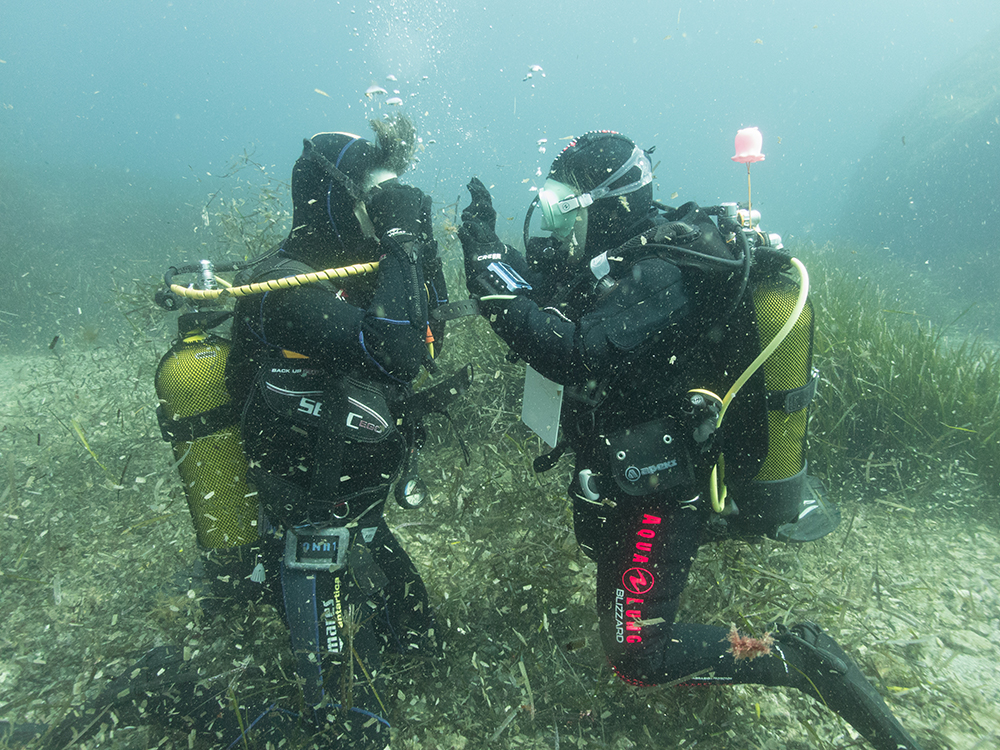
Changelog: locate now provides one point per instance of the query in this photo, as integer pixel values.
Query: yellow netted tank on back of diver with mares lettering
(198, 418)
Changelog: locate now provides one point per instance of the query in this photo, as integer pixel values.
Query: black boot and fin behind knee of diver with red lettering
(817, 666)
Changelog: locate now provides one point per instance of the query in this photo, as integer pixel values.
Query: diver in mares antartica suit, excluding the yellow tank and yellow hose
(323, 372)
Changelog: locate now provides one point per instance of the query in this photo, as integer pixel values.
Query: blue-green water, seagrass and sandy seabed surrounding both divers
(139, 135)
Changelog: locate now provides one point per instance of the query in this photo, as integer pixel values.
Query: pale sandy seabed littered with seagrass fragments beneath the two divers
(94, 530)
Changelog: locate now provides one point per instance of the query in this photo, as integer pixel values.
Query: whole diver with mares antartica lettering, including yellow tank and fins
(289, 441)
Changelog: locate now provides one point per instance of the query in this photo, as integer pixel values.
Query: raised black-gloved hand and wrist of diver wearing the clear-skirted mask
(491, 268)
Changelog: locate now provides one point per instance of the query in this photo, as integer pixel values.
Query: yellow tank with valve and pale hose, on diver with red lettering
(769, 492)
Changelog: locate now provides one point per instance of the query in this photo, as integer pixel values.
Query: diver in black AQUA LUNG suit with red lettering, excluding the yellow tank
(629, 348)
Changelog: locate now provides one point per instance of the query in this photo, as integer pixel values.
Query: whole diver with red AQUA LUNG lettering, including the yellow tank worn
(644, 313)
